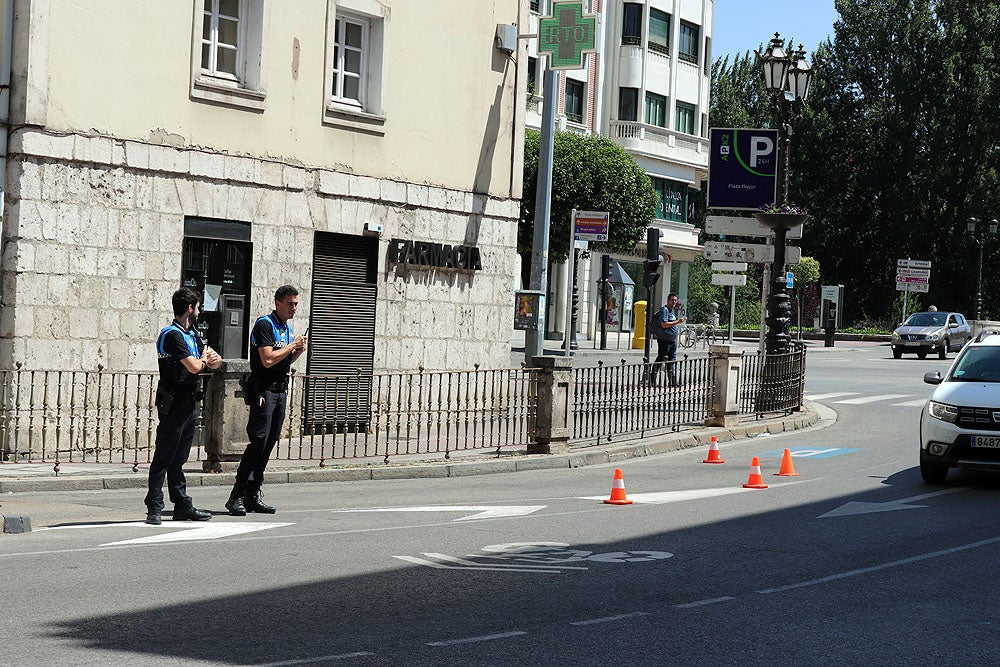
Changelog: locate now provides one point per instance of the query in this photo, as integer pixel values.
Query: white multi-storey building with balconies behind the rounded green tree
(648, 90)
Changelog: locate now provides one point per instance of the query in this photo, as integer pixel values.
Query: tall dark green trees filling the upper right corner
(899, 145)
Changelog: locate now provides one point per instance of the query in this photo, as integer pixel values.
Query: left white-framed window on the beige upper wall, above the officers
(228, 45)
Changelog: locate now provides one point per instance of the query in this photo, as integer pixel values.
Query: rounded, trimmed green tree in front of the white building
(589, 173)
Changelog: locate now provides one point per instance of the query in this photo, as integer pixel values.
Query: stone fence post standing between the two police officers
(225, 435)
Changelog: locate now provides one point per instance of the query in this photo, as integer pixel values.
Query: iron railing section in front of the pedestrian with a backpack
(636, 400)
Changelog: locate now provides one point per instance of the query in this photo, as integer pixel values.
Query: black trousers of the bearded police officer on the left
(174, 437)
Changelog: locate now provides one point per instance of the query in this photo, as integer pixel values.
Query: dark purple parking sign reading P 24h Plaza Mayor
(742, 168)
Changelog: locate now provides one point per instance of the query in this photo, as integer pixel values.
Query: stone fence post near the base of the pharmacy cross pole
(554, 422)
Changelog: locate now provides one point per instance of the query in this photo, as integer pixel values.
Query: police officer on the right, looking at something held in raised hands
(273, 350)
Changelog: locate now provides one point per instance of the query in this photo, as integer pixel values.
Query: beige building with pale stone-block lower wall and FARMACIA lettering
(349, 147)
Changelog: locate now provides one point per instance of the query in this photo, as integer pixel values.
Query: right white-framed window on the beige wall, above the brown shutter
(356, 49)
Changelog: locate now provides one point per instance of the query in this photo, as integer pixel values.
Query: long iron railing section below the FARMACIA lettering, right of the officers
(345, 417)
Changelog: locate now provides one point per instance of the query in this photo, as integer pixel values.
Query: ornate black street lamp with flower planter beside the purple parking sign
(787, 78)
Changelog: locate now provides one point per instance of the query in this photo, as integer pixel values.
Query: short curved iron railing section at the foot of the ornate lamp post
(772, 383)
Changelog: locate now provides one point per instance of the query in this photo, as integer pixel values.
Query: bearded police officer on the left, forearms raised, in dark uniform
(181, 357)
